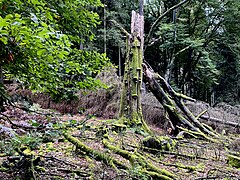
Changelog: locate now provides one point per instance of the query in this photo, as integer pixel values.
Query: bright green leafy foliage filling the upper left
(38, 41)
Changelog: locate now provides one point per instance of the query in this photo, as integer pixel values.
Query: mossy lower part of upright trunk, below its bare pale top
(131, 111)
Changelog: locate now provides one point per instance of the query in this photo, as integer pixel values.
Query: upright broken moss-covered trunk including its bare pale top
(130, 107)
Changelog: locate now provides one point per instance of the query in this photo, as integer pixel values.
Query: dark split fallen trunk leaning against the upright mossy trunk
(172, 102)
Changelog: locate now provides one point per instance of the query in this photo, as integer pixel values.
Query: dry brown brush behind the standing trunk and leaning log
(105, 103)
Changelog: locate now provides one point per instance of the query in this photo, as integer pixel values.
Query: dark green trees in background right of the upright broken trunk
(196, 47)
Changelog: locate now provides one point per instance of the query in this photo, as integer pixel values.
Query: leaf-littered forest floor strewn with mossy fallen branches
(32, 145)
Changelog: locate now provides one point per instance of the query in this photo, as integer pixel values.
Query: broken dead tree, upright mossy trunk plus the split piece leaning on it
(135, 71)
